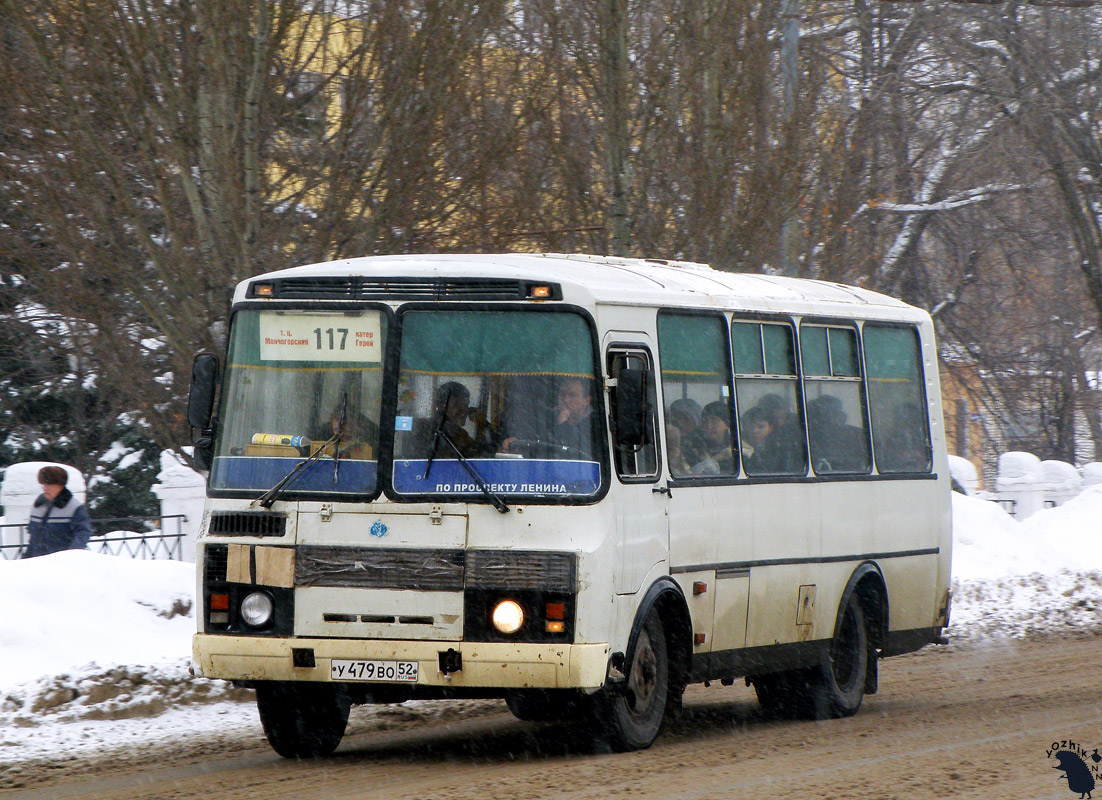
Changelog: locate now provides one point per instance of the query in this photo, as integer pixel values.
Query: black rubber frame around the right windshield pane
(391, 396)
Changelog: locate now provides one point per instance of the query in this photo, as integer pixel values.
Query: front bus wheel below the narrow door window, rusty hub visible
(633, 717)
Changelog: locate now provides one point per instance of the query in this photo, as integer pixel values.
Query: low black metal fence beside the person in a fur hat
(157, 540)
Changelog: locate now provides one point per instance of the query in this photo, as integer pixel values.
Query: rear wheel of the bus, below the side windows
(840, 680)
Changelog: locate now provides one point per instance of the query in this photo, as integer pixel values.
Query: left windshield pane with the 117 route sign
(301, 384)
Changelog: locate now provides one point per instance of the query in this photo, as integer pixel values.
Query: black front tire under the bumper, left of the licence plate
(304, 720)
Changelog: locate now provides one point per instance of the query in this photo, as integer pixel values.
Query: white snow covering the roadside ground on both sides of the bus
(95, 650)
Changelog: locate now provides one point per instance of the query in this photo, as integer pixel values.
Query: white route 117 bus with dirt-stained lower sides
(577, 483)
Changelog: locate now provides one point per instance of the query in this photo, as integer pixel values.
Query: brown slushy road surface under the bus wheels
(967, 721)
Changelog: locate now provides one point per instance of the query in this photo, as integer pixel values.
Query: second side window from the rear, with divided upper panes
(837, 426)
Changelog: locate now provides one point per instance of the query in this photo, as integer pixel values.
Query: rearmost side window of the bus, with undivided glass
(898, 399)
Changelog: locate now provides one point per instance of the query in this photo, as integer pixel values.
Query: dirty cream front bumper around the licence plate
(485, 665)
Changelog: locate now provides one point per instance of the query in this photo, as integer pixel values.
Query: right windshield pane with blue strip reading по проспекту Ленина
(513, 394)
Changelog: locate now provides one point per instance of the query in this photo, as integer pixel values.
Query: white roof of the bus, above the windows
(612, 280)
